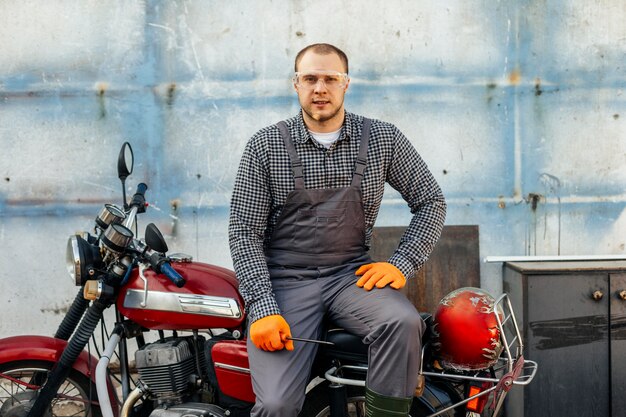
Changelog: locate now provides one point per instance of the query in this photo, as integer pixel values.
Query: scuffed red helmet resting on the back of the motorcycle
(465, 330)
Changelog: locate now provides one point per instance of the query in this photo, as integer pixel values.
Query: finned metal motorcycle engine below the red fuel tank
(171, 368)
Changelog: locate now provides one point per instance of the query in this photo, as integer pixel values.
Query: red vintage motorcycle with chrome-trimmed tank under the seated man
(200, 368)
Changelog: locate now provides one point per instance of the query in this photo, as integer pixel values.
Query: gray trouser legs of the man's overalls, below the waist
(384, 318)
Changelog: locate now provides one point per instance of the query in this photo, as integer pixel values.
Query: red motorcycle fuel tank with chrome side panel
(209, 299)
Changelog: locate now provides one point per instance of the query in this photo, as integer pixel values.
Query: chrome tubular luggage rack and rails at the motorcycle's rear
(511, 365)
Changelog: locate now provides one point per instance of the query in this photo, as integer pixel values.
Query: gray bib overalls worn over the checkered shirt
(317, 245)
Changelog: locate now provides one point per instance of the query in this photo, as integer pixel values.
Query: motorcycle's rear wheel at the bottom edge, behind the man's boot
(316, 402)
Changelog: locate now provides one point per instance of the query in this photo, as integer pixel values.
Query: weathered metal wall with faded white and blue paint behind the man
(518, 107)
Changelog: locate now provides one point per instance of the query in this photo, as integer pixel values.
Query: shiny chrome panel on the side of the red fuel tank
(183, 303)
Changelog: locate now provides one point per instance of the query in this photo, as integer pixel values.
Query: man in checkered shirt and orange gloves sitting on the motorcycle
(305, 200)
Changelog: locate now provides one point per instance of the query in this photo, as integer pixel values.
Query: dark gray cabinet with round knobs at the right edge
(573, 320)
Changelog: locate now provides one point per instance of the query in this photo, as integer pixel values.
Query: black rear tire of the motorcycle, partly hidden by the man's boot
(316, 403)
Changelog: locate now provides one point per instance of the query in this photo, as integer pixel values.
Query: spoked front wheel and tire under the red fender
(75, 396)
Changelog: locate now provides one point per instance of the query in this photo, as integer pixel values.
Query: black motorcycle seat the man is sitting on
(350, 347)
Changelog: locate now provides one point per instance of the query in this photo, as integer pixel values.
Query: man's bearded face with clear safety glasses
(322, 101)
